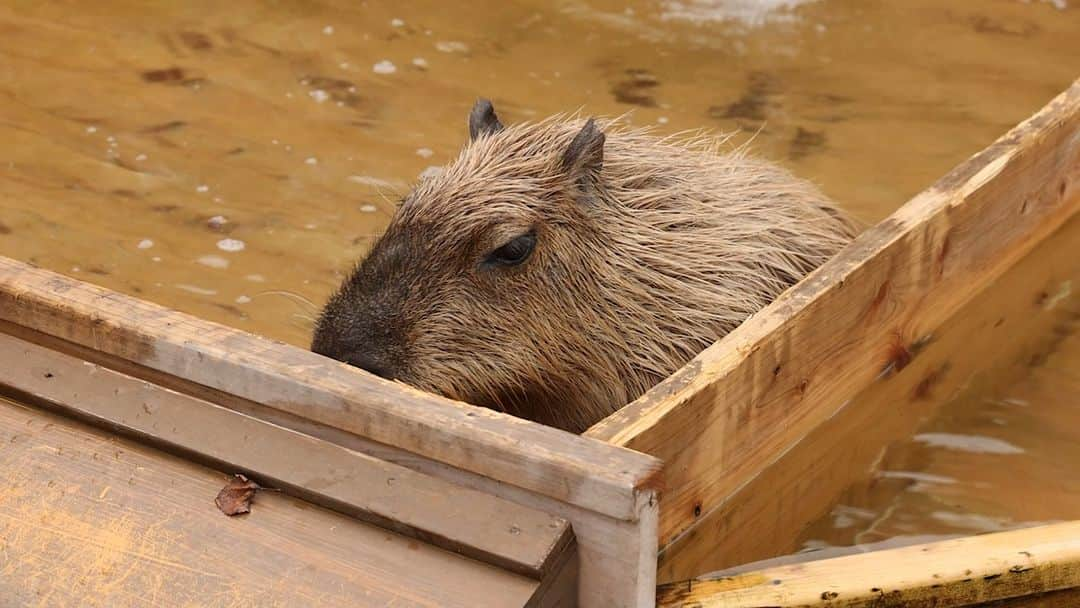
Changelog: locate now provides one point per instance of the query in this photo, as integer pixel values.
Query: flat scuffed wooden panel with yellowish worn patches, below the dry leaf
(89, 520)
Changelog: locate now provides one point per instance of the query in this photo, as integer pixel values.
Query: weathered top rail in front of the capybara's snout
(569, 468)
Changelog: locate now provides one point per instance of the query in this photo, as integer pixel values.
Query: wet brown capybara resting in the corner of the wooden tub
(558, 271)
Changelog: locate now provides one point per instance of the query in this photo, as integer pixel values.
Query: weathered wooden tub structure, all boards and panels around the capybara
(131, 416)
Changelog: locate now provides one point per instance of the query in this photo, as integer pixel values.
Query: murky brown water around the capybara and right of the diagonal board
(232, 164)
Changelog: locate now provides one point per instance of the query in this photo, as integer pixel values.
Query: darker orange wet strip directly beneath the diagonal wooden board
(1003, 329)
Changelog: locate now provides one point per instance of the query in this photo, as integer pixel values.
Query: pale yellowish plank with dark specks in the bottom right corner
(963, 572)
